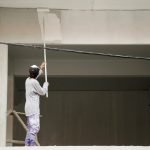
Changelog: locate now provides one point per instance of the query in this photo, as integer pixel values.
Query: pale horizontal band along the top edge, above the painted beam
(77, 4)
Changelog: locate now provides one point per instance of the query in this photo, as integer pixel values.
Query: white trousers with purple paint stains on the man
(33, 124)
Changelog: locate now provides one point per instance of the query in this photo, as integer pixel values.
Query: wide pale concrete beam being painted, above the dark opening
(76, 27)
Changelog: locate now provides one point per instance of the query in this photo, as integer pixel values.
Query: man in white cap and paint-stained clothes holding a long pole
(32, 105)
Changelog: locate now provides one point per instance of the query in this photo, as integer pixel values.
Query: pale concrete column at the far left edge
(3, 92)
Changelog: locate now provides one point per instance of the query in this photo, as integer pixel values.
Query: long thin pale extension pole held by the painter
(45, 60)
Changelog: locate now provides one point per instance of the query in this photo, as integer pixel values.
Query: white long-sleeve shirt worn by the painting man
(33, 92)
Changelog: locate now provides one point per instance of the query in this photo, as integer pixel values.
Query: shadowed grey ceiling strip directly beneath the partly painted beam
(23, 52)
